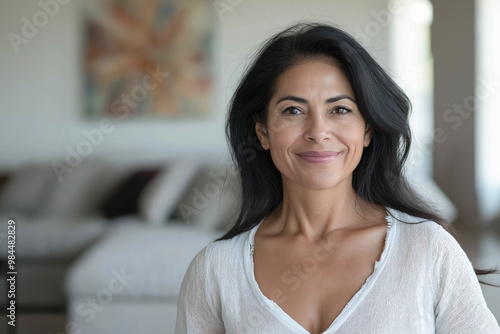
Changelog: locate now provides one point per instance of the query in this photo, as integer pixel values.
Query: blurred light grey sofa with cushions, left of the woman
(69, 253)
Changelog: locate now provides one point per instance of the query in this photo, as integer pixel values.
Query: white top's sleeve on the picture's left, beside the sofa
(198, 306)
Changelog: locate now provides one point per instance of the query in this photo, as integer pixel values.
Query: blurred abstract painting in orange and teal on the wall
(148, 58)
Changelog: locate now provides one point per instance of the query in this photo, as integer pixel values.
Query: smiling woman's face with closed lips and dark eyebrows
(313, 109)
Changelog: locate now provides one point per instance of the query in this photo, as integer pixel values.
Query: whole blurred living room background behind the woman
(114, 165)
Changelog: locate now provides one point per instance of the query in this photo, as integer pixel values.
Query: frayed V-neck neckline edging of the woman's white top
(286, 319)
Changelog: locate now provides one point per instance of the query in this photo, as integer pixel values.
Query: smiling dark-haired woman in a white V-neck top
(330, 238)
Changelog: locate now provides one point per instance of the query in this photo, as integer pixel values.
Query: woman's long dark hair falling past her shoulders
(378, 178)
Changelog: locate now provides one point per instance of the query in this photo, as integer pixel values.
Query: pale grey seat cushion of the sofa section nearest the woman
(142, 260)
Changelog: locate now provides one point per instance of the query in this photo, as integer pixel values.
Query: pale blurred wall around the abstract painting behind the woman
(41, 93)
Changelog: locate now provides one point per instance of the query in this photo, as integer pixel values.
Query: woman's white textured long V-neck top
(423, 283)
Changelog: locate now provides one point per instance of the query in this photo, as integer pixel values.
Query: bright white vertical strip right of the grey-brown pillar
(487, 100)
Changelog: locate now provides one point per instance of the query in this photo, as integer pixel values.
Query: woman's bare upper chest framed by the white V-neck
(313, 283)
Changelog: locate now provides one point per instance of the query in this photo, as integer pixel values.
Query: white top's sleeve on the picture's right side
(460, 306)
